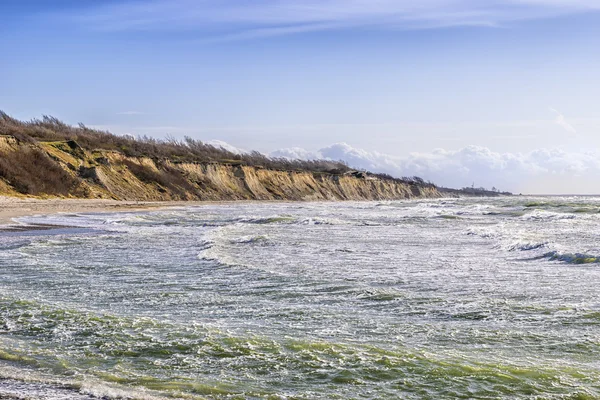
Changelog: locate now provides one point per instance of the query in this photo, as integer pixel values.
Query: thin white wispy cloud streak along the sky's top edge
(237, 19)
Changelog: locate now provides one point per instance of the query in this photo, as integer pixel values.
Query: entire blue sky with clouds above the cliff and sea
(496, 93)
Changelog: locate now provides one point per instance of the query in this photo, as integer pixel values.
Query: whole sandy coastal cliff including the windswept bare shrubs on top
(47, 157)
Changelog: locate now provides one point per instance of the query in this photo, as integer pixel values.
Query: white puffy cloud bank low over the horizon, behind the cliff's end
(534, 172)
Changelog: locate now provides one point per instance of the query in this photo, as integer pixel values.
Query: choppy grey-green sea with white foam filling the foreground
(432, 299)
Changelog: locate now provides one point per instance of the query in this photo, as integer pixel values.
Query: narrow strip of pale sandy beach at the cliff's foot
(14, 207)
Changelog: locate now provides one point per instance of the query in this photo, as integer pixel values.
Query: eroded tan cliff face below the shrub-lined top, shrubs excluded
(65, 169)
